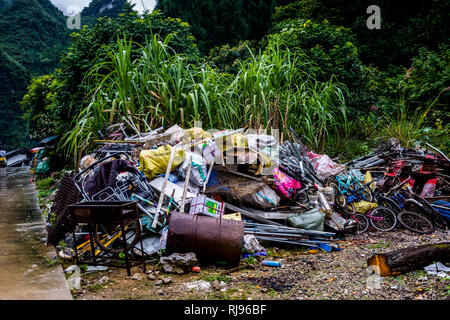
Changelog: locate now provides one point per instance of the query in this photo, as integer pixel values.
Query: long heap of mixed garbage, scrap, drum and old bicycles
(219, 196)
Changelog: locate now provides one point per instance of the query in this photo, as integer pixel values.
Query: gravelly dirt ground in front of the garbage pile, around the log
(306, 275)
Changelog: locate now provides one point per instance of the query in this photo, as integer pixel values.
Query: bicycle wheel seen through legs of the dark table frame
(106, 235)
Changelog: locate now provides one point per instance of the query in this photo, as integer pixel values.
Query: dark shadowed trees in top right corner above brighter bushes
(406, 25)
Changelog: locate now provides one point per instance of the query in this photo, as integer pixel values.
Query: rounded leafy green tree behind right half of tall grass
(327, 51)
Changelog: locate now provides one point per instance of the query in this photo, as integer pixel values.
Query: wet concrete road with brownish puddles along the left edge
(24, 273)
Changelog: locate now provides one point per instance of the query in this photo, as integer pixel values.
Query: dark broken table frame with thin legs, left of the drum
(110, 223)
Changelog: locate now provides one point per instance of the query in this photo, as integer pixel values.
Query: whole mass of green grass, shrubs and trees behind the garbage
(312, 65)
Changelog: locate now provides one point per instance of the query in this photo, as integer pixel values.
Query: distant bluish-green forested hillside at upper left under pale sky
(33, 37)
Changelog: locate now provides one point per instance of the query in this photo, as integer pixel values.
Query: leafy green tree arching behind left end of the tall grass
(88, 46)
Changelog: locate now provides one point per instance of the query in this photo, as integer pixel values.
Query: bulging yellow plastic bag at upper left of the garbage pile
(155, 161)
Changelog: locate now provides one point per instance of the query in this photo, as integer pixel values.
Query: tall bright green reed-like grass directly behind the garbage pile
(271, 90)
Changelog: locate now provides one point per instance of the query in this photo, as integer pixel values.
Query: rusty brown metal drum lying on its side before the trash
(211, 239)
